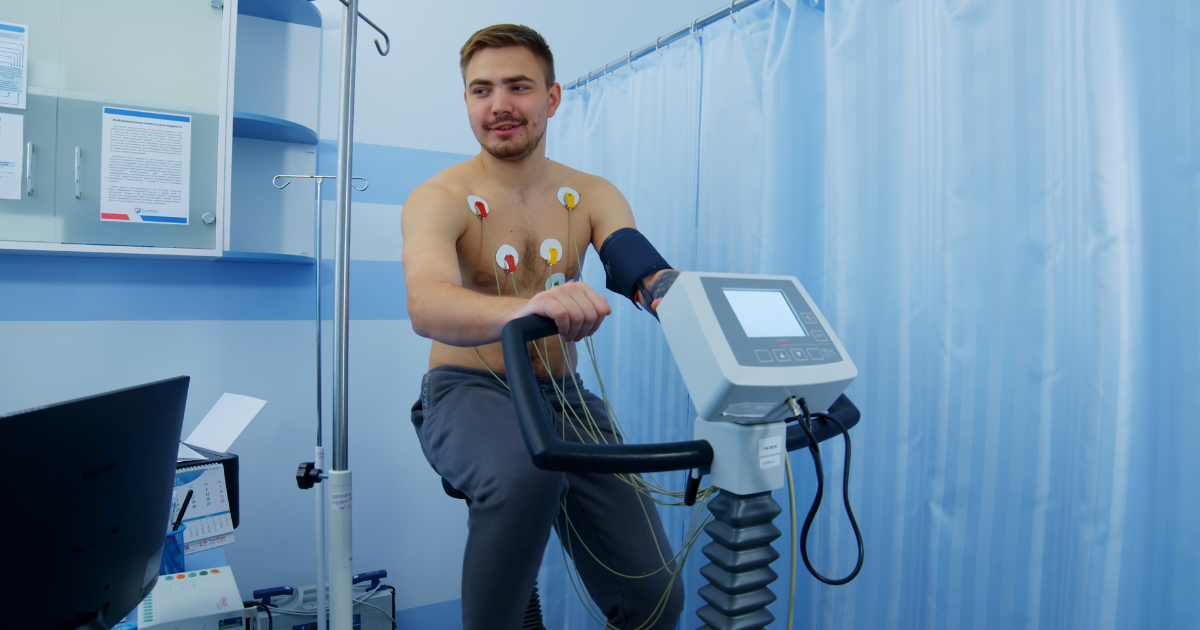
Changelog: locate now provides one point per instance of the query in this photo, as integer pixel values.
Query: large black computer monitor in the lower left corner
(87, 505)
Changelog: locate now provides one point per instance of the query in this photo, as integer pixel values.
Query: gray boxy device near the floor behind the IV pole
(296, 608)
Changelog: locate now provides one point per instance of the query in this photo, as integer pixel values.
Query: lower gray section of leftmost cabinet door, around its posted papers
(32, 217)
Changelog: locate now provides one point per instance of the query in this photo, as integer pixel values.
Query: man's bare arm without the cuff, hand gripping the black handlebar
(443, 310)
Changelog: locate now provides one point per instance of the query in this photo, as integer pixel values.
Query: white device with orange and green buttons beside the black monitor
(194, 601)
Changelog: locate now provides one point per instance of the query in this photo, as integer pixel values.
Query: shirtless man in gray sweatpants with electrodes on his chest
(461, 299)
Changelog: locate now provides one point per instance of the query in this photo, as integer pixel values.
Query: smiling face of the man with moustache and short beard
(508, 101)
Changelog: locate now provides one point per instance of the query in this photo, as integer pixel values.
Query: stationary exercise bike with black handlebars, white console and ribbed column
(755, 355)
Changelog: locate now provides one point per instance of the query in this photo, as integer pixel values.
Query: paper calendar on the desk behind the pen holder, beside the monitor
(208, 518)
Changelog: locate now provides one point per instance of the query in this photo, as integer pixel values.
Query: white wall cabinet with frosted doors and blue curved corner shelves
(248, 77)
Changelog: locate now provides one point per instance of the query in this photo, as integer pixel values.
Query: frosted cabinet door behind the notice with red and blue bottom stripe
(148, 56)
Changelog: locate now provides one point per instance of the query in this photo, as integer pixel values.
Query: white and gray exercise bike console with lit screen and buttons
(745, 344)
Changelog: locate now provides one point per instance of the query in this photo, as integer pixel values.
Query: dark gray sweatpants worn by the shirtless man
(469, 431)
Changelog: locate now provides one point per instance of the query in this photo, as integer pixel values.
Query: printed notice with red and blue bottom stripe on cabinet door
(146, 167)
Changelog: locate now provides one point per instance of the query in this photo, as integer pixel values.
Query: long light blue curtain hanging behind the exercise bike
(998, 208)
